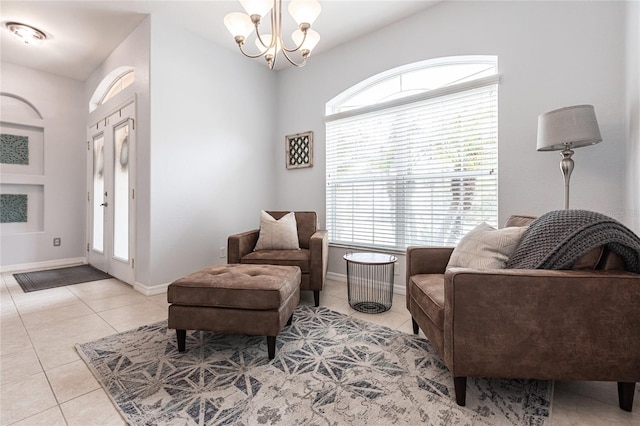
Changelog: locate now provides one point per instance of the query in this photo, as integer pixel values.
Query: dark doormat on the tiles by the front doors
(41, 280)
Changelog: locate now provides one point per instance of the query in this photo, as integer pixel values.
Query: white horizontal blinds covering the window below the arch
(414, 171)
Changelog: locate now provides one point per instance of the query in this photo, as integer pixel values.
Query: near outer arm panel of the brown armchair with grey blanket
(543, 324)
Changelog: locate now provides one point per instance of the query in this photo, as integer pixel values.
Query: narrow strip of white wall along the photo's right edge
(633, 116)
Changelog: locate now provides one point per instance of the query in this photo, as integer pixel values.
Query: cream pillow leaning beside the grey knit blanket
(485, 247)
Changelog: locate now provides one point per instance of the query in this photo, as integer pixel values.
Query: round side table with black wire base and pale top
(370, 281)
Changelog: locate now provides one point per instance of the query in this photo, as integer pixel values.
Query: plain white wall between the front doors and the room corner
(212, 121)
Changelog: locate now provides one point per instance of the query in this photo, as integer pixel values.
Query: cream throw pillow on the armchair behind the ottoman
(281, 234)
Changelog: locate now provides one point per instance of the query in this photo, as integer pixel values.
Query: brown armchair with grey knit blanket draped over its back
(579, 324)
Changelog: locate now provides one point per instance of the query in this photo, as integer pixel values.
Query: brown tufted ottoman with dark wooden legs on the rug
(238, 298)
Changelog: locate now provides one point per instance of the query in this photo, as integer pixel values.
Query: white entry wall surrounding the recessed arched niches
(59, 100)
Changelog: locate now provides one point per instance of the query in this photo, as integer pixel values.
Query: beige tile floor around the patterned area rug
(44, 382)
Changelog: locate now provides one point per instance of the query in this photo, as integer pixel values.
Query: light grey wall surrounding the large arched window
(551, 55)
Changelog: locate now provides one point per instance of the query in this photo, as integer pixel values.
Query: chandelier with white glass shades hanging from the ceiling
(304, 12)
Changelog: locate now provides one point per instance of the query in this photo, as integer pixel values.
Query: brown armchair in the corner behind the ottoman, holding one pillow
(312, 258)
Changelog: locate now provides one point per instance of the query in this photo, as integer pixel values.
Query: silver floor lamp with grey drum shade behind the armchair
(566, 128)
